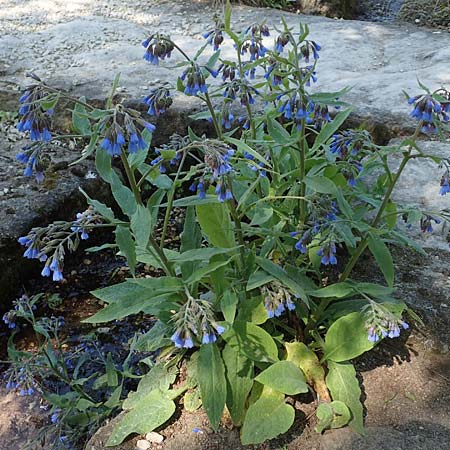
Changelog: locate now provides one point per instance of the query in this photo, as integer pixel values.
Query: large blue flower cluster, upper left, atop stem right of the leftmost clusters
(124, 125)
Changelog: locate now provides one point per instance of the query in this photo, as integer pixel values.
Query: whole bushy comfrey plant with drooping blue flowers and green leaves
(256, 303)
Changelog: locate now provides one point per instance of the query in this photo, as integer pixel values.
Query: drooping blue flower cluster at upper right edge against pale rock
(430, 111)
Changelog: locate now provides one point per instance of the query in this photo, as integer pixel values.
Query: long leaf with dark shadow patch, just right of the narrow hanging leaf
(239, 375)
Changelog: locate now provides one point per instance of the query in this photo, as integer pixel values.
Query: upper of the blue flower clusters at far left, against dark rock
(36, 110)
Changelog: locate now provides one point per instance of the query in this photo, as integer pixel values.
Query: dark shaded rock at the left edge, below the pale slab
(25, 204)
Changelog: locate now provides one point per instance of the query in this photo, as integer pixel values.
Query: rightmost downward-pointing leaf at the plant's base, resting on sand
(344, 386)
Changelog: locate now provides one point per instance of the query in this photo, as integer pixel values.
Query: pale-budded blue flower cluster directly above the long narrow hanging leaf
(195, 323)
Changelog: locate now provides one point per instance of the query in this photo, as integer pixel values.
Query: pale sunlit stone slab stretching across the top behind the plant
(80, 47)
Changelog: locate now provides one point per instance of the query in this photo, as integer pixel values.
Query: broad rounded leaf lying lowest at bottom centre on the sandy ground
(266, 419)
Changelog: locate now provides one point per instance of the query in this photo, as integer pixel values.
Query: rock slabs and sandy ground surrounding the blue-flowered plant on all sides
(79, 45)
